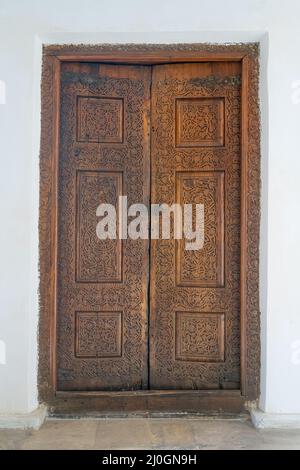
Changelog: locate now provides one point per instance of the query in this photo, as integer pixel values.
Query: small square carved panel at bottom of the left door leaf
(98, 334)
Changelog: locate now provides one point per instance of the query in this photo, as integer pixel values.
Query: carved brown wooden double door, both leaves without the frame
(136, 314)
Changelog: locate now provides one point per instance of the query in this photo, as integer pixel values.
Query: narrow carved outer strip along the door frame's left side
(46, 253)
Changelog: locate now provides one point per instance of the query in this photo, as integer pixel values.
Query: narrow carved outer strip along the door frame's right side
(252, 317)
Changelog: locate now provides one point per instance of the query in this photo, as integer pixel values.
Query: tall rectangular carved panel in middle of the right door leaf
(203, 267)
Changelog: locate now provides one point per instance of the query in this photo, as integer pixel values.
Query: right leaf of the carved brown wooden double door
(195, 295)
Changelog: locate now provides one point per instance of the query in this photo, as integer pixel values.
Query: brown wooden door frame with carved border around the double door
(167, 400)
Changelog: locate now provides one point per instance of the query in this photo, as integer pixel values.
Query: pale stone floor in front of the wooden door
(149, 433)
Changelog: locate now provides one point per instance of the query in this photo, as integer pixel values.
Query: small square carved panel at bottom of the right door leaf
(199, 336)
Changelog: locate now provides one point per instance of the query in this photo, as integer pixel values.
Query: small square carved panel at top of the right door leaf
(200, 122)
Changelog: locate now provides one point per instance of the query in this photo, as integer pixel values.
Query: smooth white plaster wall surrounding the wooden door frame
(24, 26)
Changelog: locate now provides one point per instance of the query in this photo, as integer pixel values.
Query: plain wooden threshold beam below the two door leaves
(148, 401)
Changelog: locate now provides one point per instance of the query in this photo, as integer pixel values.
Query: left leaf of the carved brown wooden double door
(102, 328)
